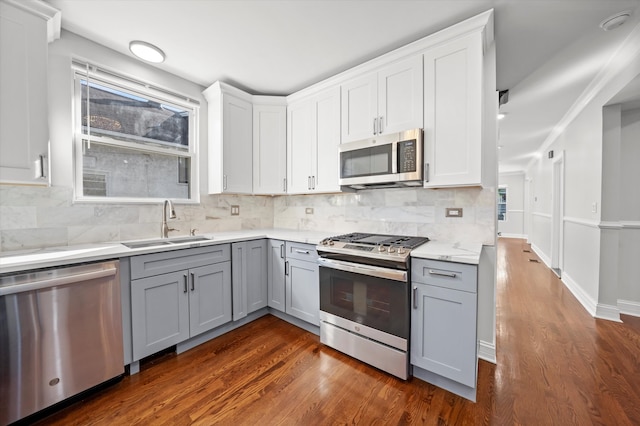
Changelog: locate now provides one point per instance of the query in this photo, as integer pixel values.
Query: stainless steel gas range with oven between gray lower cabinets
(365, 297)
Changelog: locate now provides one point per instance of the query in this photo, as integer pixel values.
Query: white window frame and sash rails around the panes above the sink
(139, 88)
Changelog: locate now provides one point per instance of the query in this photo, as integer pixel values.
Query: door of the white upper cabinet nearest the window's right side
(237, 145)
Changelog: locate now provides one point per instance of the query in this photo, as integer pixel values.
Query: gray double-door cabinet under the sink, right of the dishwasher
(170, 307)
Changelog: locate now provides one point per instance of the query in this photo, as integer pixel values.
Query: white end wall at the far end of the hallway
(514, 225)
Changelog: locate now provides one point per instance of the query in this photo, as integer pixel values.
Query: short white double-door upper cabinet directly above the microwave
(383, 102)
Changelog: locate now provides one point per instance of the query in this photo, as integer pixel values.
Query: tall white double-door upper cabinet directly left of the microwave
(313, 137)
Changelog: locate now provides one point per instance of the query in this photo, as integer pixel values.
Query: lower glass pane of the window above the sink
(112, 171)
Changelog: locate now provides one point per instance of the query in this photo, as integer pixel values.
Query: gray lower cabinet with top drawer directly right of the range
(444, 318)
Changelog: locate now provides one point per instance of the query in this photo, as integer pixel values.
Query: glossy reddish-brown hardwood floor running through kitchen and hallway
(556, 366)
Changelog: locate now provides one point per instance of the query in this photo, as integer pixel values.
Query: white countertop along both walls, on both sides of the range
(13, 262)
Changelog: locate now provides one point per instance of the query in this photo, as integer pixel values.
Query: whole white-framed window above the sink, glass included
(132, 142)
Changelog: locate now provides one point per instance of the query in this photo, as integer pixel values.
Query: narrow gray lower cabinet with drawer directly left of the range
(302, 298)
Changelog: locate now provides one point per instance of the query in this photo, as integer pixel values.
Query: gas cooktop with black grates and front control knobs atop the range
(394, 248)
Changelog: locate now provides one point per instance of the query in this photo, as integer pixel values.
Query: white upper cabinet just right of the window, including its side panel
(230, 140)
